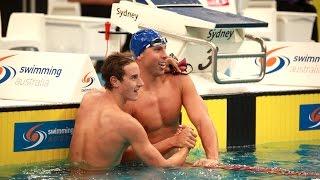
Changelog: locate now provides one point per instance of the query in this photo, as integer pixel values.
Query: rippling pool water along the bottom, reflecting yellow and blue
(301, 158)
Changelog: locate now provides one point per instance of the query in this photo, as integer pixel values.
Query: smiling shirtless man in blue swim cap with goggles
(162, 97)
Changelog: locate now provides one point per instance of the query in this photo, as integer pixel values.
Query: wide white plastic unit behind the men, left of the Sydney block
(76, 34)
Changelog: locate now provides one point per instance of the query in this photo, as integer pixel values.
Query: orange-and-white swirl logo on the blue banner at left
(34, 136)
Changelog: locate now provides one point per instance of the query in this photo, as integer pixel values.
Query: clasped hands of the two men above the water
(185, 137)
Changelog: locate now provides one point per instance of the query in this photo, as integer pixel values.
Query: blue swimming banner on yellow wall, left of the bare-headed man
(42, 135)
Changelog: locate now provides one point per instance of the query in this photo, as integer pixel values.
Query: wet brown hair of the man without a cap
(114, 66)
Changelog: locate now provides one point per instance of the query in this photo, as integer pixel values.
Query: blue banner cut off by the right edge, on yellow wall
(309, 117)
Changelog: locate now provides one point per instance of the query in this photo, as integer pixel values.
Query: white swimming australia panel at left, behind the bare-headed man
(46, 77)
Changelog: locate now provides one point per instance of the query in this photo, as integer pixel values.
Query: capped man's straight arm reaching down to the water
(199, 116)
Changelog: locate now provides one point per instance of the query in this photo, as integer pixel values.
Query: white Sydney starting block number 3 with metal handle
(208, 39)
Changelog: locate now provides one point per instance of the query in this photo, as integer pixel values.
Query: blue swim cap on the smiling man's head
(145, 38)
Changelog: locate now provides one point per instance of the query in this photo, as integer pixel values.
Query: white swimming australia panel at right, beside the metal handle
(290, 63)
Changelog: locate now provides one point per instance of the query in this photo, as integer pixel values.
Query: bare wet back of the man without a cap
(98, 123)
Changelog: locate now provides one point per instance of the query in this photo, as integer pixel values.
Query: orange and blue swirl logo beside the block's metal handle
(275, 63)
